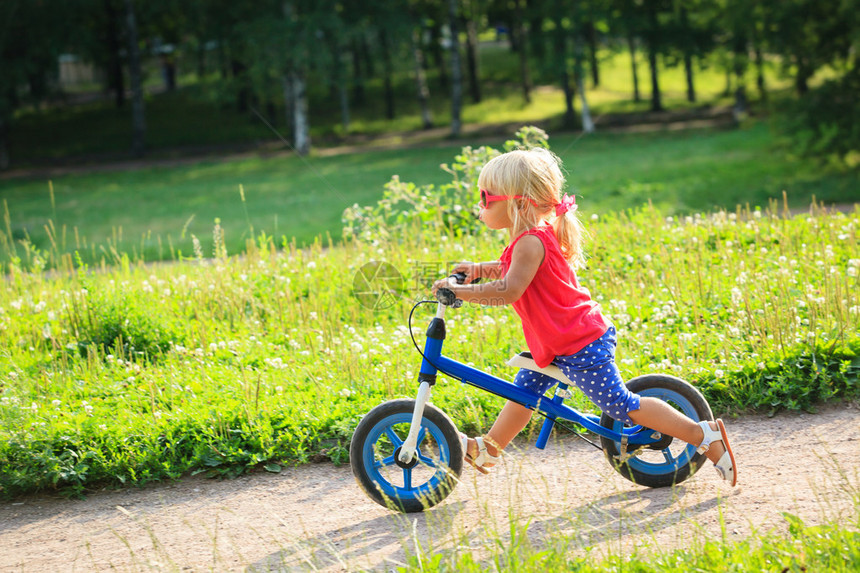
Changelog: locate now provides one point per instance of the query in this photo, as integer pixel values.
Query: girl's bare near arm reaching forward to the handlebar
(526, 258)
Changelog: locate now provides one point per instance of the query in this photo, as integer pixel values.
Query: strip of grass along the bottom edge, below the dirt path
(832, 546)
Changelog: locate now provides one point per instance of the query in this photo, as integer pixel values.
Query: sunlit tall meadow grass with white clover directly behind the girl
(139, 373)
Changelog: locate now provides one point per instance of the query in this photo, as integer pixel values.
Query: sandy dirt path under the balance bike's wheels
(316, 517)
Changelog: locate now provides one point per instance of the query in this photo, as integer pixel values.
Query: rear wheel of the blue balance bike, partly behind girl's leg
(669, 461)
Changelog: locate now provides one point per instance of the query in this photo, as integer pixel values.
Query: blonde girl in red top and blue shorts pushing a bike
(521, 192)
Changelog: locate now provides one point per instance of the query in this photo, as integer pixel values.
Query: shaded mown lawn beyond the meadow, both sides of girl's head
(151, 214)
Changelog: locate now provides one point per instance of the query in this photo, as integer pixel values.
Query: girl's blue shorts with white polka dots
(594, 371)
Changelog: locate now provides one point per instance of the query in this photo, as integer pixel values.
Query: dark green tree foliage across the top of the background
(291, 58)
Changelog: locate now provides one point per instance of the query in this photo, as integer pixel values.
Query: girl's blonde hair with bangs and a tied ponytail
(536, 174)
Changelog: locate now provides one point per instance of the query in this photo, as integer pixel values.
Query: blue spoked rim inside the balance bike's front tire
(375, 464)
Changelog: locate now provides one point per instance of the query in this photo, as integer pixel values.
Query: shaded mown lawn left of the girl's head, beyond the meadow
(154, 212)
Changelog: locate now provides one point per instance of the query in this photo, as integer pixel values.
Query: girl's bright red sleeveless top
(559, 318)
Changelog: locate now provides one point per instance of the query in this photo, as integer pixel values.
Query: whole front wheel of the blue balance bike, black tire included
(419, 485)
